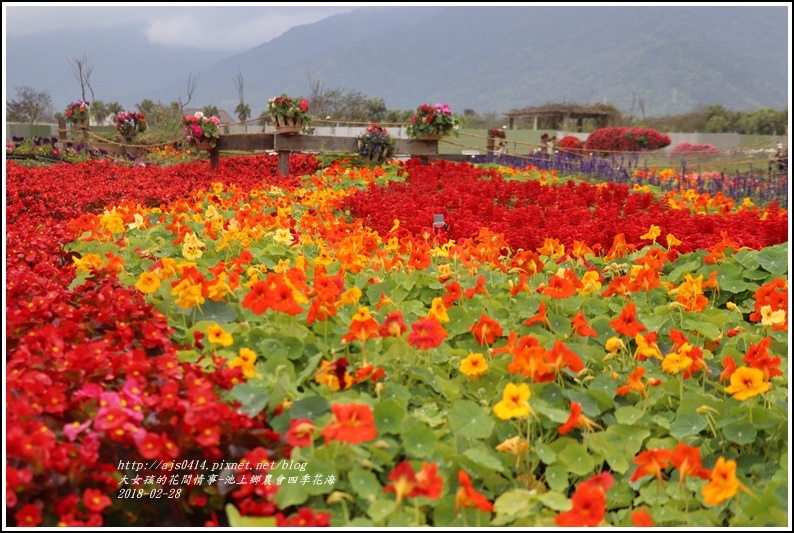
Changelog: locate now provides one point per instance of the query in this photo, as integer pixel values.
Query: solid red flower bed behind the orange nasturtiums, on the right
(528, 212)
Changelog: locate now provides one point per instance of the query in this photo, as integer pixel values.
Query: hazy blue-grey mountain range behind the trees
(652, 60)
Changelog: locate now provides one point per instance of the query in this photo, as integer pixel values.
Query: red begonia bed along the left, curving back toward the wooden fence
(96, 397)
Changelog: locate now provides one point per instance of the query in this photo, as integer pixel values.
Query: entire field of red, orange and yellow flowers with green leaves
(240, 348)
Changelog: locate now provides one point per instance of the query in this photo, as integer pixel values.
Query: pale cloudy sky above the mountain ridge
(228, 26)
